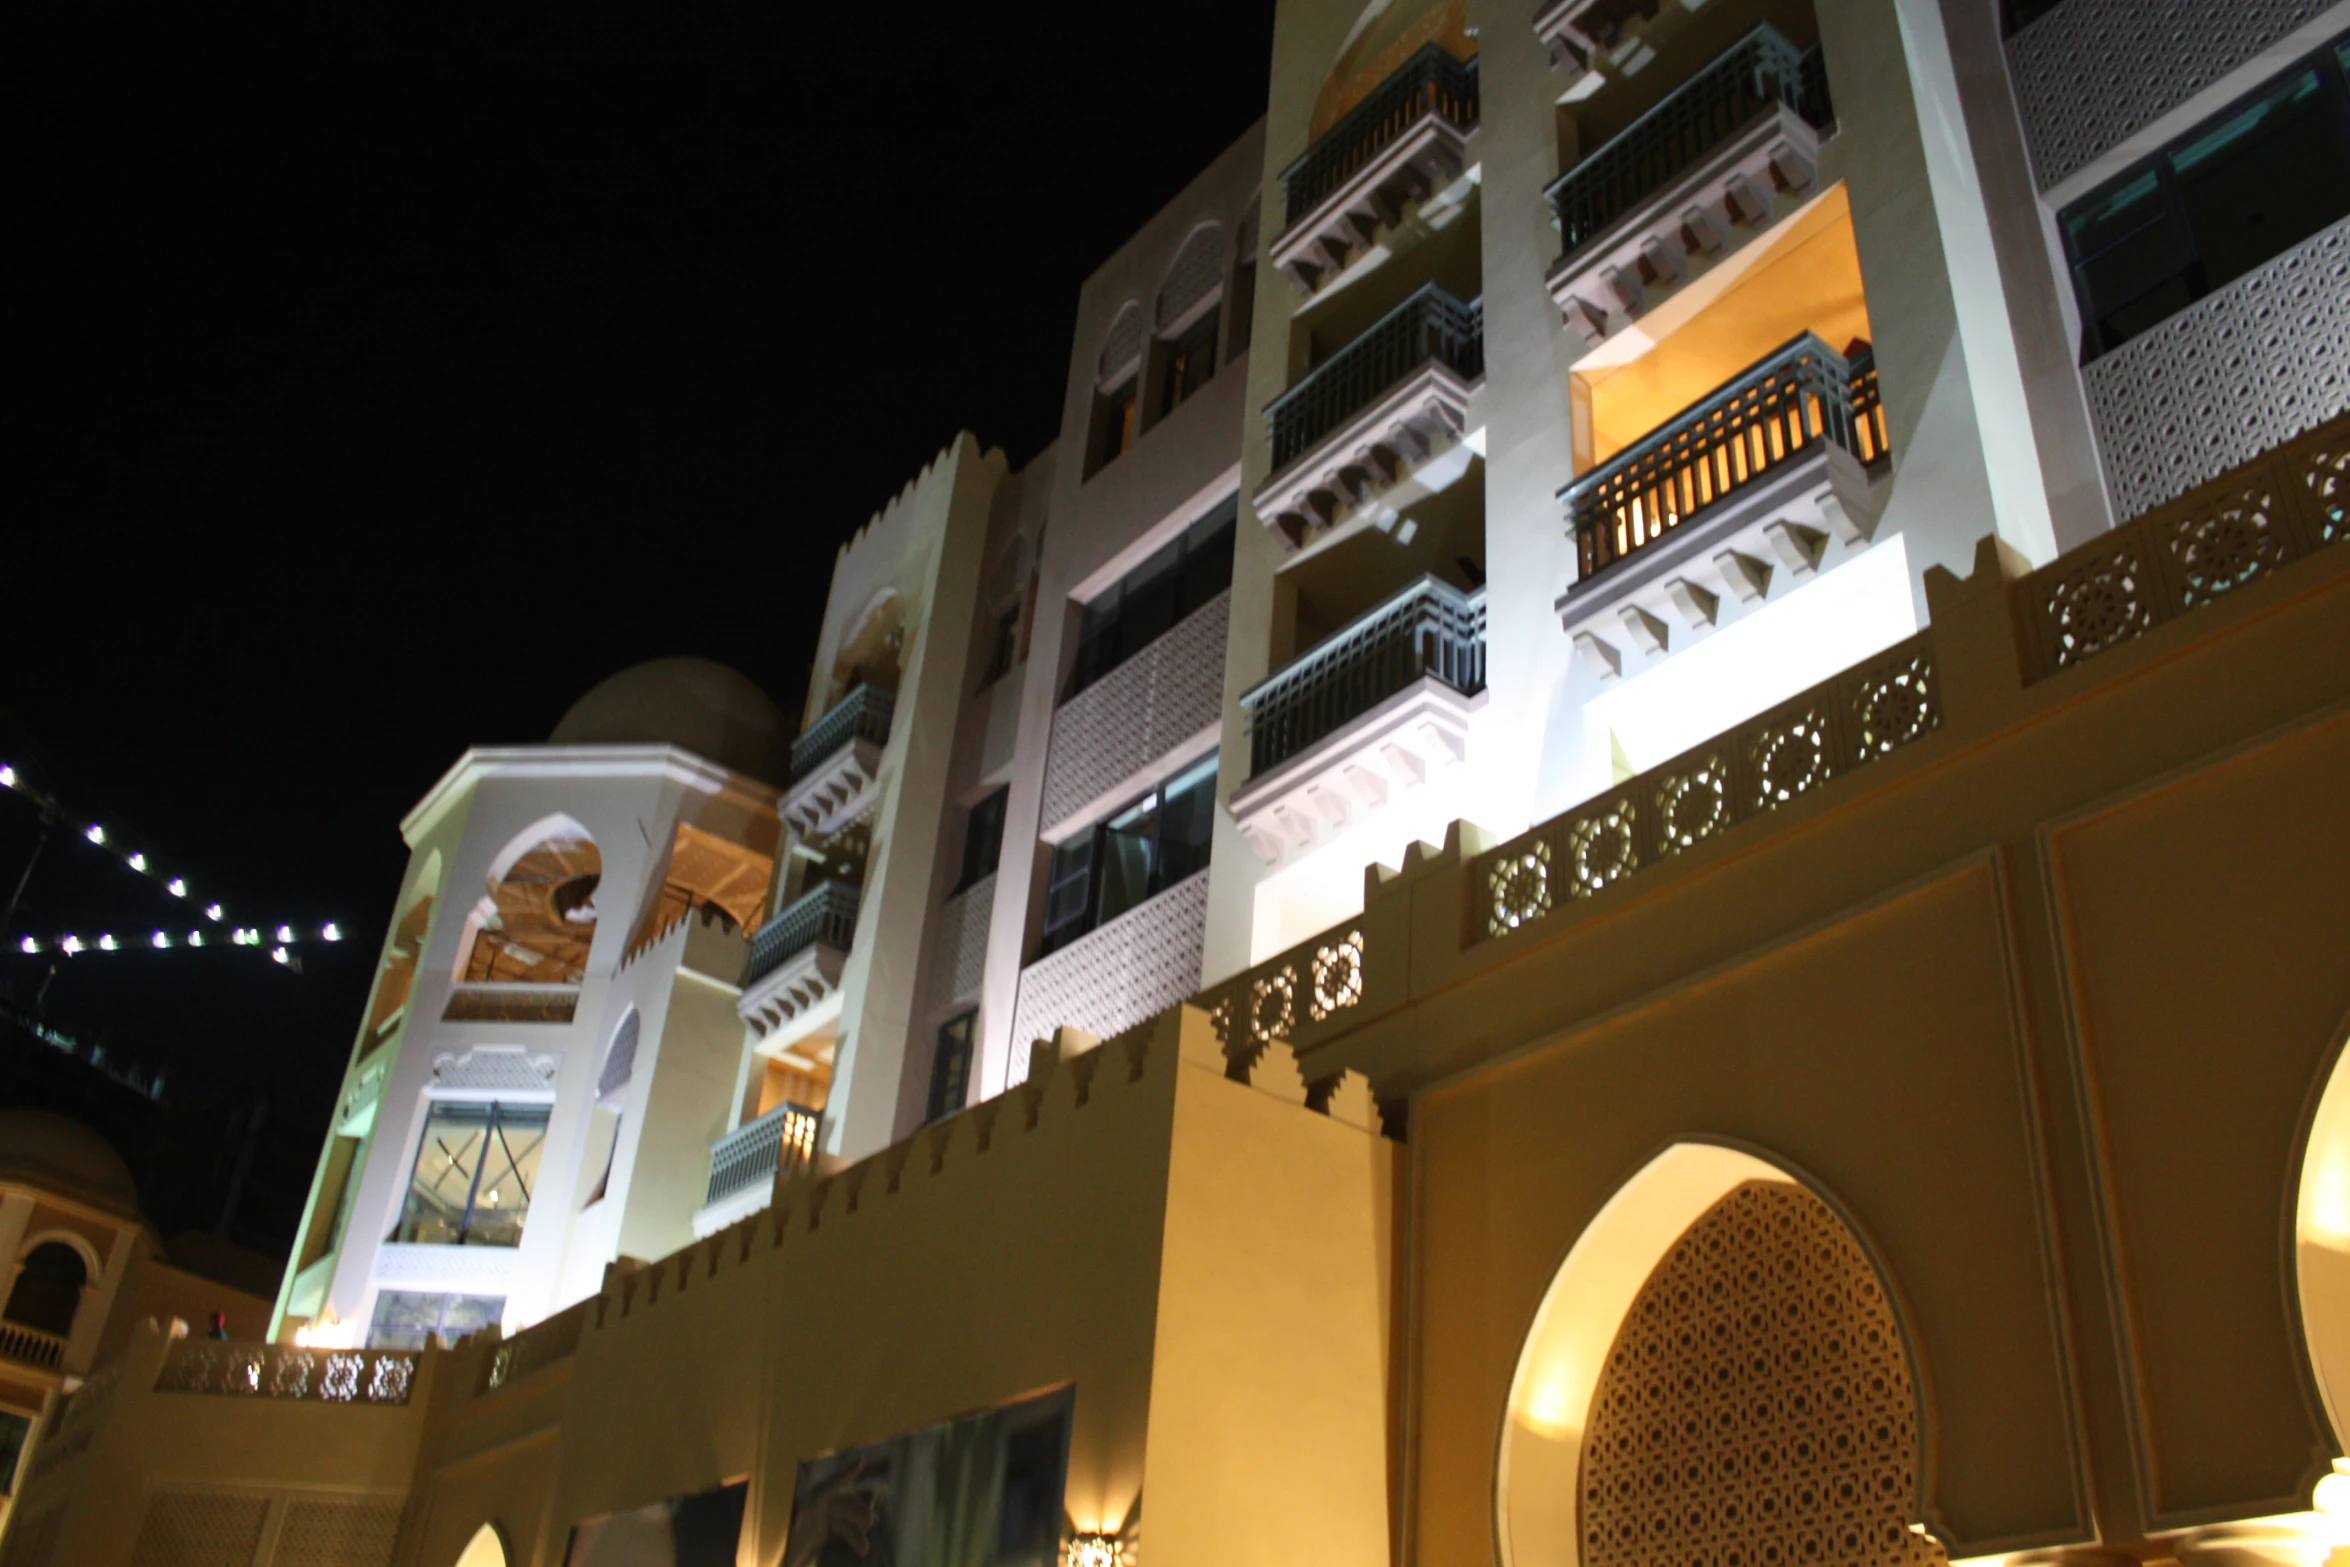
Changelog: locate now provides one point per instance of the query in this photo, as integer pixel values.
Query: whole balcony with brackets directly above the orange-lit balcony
(1688, 182)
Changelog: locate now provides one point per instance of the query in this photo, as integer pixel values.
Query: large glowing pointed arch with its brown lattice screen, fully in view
(1717, 1378)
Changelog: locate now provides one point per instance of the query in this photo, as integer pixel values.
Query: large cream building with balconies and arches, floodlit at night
(1634, 854)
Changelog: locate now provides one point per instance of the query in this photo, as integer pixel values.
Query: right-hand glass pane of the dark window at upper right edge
(2264, 180)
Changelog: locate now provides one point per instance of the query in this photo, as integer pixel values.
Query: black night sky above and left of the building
(384, 377)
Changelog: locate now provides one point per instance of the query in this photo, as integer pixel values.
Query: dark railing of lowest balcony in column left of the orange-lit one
(1425, 631)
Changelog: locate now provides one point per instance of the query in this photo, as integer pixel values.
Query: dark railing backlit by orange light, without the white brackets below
(1775, 410)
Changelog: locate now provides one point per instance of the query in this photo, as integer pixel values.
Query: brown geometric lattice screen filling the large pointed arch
(1757, 1408)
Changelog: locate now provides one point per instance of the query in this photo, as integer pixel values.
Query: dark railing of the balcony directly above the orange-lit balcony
(1750, 79)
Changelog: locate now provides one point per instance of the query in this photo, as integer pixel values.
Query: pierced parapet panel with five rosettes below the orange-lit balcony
(1865, 713)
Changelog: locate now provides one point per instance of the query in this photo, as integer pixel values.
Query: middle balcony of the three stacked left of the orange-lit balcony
(1371, 412)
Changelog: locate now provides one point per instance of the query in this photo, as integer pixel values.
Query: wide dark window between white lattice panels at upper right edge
(2229, 196)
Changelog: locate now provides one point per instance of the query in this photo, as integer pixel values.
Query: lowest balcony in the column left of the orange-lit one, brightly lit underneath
(1362, 715)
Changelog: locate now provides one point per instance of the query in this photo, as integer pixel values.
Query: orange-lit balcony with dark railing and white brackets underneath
(1750, 483)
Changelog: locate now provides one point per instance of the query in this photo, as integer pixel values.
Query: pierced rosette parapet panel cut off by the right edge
(2189, 551)
